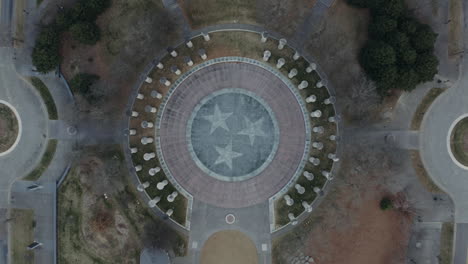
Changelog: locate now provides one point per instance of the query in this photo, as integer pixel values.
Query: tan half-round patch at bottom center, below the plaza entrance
(229, 247)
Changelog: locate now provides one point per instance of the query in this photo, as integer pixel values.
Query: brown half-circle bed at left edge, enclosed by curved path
(8, 128)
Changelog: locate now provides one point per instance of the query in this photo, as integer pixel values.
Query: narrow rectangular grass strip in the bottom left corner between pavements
(22, 235)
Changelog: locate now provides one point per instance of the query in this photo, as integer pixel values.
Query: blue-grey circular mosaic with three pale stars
(232, 134)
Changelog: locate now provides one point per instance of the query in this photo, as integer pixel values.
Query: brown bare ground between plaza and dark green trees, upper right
(336, 48)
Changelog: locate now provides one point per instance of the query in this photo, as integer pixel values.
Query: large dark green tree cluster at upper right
(400, 51)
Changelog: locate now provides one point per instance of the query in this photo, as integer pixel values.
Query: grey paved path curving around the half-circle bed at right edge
(434, 150)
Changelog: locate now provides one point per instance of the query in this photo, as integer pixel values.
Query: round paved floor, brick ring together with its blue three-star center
(232, 134)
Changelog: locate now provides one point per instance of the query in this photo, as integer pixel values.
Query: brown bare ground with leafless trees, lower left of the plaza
(100, 218)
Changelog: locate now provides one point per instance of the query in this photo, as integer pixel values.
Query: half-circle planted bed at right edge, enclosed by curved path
(459, 141)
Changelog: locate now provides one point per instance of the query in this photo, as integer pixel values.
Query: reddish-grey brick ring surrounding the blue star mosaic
(274, 92)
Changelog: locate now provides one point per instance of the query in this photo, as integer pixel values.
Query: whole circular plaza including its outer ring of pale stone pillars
(233, 128)
